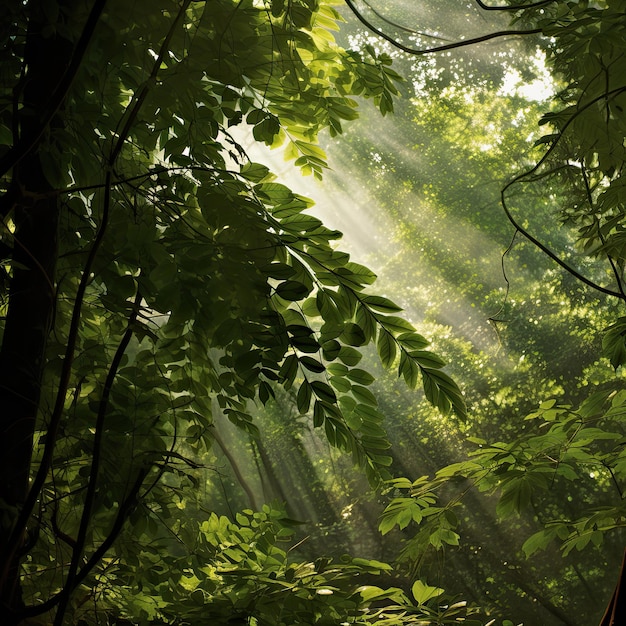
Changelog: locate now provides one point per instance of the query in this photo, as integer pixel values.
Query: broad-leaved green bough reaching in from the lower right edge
(584, 444)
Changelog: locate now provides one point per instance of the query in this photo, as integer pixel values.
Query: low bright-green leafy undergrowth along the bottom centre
(241, 570)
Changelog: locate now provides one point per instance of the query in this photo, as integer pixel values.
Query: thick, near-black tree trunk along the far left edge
(30, 316)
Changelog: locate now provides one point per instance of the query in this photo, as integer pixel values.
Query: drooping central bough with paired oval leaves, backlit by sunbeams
(318, 319)
